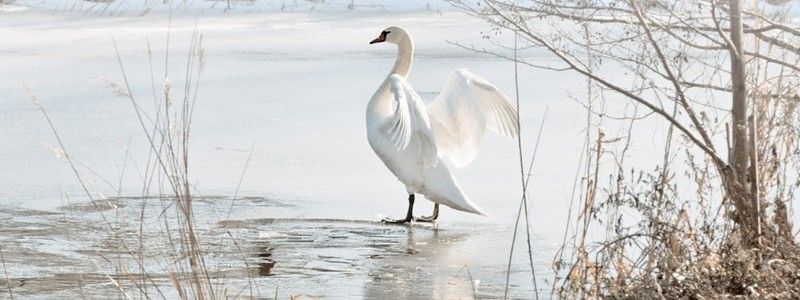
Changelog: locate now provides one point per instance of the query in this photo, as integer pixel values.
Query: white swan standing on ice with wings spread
(412, 138)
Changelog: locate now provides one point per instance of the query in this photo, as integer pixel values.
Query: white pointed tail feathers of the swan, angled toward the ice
(442, 188)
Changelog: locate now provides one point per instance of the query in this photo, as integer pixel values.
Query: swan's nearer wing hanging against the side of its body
(410, 123)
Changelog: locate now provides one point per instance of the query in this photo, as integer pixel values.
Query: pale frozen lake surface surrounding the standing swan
(294, 87)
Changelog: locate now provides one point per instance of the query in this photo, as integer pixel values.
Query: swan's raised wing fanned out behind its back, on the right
(460, 115)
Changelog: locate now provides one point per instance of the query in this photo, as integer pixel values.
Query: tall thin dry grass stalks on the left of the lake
(166, 178)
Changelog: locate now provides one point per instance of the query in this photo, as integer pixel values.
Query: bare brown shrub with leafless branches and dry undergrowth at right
(710, 219)
